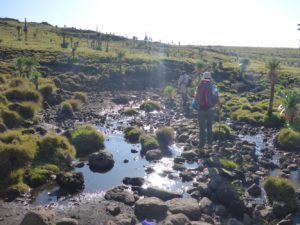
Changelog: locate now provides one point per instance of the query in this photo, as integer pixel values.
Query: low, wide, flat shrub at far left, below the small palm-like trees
(22, 94)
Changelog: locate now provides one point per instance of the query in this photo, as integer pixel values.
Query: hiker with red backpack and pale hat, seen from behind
(206, 98)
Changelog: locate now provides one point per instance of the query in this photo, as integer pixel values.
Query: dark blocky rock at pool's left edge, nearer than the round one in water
(70, 181)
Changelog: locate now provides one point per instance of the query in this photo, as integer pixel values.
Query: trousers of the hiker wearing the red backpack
(205, 120)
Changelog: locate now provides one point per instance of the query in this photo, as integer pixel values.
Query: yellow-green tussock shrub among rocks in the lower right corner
(279, 189)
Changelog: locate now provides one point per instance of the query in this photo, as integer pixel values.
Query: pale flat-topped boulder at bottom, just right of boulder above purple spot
(187, 206)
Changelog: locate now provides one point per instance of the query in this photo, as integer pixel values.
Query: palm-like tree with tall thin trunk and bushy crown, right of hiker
(273, 66)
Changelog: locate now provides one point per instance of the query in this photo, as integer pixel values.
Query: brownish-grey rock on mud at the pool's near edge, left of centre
(120, 195)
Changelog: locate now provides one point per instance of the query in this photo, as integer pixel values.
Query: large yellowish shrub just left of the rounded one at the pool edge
(55, 149)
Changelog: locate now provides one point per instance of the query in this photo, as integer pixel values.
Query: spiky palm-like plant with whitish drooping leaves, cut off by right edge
(290, 106)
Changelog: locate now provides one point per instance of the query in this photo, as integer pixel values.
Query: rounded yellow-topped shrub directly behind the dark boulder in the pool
(86, 140)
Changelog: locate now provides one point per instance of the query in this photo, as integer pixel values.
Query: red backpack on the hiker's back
(204, 96)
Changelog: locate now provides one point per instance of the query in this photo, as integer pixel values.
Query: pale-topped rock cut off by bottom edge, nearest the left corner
(38, 217)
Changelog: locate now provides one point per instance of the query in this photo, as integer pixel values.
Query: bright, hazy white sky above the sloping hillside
(256, 23)
